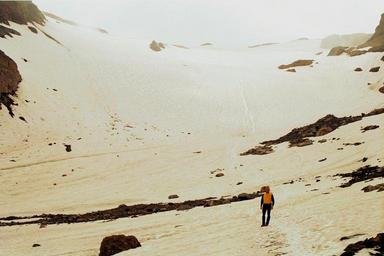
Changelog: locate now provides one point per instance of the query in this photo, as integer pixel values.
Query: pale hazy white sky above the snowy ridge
(224, 22)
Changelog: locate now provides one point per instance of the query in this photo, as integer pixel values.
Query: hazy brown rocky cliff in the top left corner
(20, 12)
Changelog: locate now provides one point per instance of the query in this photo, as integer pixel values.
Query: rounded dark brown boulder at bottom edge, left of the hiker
(112, 245)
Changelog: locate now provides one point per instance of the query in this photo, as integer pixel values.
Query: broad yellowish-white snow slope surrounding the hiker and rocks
(134, 119)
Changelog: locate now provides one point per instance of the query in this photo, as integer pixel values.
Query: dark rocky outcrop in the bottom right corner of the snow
(376, 243)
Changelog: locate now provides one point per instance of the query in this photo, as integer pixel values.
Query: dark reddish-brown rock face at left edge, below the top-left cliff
(9, 81)
